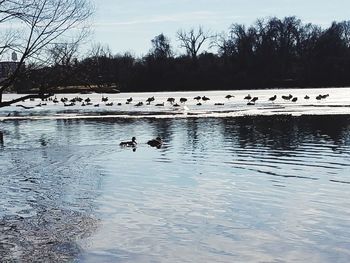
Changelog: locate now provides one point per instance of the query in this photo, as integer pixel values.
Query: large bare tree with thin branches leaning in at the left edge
(41, 23)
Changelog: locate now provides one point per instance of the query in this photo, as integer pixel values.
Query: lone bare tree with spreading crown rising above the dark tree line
(193, 40)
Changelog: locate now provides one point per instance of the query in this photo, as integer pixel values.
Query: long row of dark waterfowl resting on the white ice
(172, 101)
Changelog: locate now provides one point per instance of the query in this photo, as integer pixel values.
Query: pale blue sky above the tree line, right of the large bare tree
(129, 25)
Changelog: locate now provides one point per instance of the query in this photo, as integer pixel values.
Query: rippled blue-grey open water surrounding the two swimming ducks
(248, 189)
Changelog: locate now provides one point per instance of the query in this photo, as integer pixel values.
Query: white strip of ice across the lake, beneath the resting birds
(337, 103)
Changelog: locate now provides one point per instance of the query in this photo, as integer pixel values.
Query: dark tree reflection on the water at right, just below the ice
(286, 132)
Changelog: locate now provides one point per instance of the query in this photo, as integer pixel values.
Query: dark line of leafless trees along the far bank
(273, 52)
